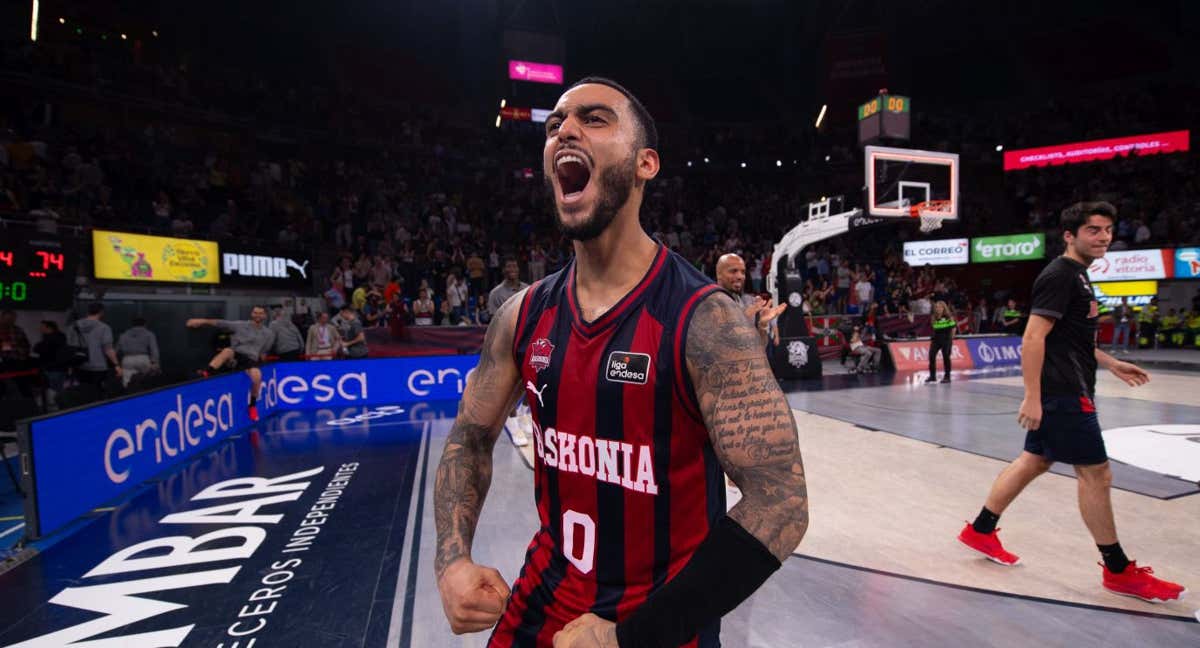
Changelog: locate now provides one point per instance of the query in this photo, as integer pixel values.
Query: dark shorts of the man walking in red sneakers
(1070, 433)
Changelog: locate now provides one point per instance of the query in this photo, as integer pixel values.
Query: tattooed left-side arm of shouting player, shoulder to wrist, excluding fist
(466, 470)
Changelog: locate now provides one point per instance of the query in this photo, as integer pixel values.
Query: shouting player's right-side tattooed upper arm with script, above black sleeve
(751, 425)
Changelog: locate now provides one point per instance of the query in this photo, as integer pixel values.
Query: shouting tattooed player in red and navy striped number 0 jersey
(646, 382)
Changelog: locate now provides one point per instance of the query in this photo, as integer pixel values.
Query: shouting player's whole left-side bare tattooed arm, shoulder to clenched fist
(472, 596)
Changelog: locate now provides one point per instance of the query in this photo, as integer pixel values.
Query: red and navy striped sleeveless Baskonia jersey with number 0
(626, 479)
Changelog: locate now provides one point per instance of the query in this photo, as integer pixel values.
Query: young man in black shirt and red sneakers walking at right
(1059, 364)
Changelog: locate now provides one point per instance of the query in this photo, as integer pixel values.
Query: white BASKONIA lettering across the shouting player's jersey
(610, 461)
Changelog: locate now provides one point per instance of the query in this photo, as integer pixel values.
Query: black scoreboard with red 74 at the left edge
(38, 272)
